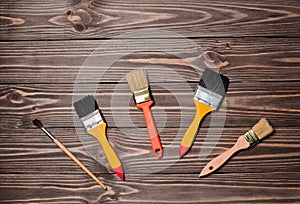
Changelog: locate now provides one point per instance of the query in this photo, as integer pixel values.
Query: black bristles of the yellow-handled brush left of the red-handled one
(86, 106)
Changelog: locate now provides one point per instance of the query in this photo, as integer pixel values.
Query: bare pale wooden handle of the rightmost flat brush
(217, 162)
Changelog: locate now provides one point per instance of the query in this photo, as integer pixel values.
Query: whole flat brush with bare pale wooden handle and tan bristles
(259, 131)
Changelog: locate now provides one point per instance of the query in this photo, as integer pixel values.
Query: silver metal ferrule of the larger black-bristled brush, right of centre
(208, 97)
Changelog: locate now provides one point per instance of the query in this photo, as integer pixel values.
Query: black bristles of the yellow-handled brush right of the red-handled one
(214, 82)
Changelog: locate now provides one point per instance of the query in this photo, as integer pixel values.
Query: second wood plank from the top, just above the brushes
(250, 59)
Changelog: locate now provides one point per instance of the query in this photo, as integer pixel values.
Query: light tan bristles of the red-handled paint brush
(137, 80)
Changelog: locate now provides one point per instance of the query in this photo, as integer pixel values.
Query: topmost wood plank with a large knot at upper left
(36, 20)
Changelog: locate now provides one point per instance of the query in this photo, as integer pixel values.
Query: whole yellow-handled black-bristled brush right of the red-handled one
(208, 97)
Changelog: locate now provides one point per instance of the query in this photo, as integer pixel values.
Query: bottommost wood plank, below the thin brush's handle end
(139, 189)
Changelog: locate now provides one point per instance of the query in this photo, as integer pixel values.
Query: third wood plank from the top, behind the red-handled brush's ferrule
(21, 104)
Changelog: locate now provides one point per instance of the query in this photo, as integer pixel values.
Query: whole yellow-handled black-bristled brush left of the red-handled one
(89, 114)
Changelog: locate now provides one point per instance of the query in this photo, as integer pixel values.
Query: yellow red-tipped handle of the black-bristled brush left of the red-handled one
(99, 132)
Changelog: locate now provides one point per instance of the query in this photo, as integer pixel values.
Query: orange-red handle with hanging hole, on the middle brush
(152, 131)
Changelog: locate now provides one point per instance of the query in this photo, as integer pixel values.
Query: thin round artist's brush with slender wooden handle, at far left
(39, 124)
